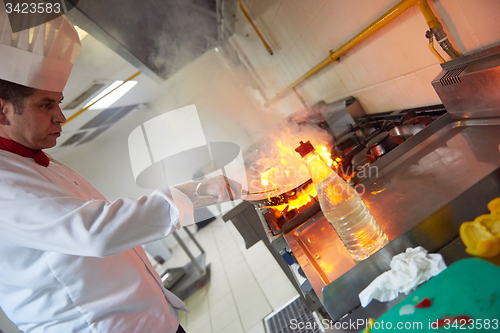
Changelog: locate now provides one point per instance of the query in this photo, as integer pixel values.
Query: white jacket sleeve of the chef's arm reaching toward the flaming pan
(93, 228)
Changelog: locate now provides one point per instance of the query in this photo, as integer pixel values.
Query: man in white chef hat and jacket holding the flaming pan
(70, 260)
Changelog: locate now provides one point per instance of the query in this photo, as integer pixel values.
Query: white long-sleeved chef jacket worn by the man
(72, 262)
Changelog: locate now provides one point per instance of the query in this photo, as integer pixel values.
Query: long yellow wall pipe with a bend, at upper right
(383, 20)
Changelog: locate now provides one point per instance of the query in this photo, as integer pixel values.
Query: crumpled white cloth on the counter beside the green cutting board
(408, 271)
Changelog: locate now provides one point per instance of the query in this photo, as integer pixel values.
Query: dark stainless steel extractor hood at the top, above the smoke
(158, 36)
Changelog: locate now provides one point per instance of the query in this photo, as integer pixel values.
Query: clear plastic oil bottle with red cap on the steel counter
(343, 207)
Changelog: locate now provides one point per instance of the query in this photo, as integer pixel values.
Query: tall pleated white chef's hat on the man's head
(40, 57)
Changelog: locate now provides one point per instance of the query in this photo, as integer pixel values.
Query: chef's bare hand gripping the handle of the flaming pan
(211, 191)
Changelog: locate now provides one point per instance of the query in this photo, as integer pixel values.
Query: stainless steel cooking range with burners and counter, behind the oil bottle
(421, 172)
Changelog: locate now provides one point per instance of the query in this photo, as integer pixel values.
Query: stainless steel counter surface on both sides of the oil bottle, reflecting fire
(440, 180)
